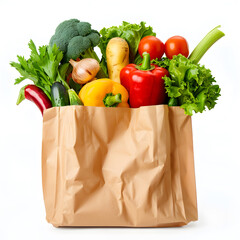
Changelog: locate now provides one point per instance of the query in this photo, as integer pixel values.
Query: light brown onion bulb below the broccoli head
(85, 70)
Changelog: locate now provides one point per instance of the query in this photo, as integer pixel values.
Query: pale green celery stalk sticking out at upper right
(198, 52)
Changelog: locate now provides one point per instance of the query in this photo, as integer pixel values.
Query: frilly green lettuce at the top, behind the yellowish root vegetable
(132, 33)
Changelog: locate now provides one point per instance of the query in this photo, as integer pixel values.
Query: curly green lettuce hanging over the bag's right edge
(190, 85)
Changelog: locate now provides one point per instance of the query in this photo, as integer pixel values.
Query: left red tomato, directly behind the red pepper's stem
(151, 45)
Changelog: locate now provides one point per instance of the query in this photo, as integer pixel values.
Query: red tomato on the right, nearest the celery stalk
(176, 45)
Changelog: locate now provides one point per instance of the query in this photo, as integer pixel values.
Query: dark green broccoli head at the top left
(76, 39)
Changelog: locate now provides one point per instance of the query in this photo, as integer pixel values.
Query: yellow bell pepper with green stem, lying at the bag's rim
(104, 93)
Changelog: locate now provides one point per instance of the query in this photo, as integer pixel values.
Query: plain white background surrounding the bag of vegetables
(216, 133)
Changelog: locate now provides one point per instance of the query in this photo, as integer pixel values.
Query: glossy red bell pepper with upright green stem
(144, 83)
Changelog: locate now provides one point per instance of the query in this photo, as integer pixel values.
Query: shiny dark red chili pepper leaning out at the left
(36, 95)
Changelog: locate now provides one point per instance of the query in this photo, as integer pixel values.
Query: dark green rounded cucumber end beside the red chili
(59, 95)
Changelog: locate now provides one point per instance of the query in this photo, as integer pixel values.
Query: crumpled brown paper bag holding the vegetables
(118, 167)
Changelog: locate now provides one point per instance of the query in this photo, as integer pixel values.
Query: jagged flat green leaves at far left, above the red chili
(42, 68)
